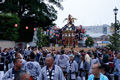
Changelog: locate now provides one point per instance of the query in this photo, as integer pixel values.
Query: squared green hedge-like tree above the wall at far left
(8, 31)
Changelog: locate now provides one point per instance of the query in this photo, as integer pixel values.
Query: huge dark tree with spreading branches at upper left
(32, 13)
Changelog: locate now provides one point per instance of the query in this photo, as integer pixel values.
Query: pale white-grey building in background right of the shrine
(99, 33)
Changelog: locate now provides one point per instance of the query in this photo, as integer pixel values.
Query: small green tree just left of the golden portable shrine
(42, 39)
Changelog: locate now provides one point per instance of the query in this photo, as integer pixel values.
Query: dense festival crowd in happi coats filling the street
(44, 64)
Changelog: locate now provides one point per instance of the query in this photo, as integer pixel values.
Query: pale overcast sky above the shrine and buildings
(88, 12)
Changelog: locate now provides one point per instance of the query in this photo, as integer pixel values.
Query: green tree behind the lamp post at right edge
(112, 37)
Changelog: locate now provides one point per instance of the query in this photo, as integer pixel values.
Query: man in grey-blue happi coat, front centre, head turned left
(51, 71)
